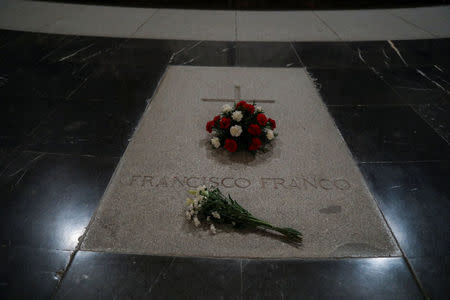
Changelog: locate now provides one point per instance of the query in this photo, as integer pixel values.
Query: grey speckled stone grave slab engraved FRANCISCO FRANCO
(308, 181)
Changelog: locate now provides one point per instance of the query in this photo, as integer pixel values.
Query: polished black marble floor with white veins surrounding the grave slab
(69, 104)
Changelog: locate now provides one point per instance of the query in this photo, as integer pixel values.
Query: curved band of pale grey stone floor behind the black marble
(233, 24)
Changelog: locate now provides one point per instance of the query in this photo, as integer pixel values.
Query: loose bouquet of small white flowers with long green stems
(213, 207)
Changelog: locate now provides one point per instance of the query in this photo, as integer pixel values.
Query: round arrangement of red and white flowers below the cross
(242, 127)
